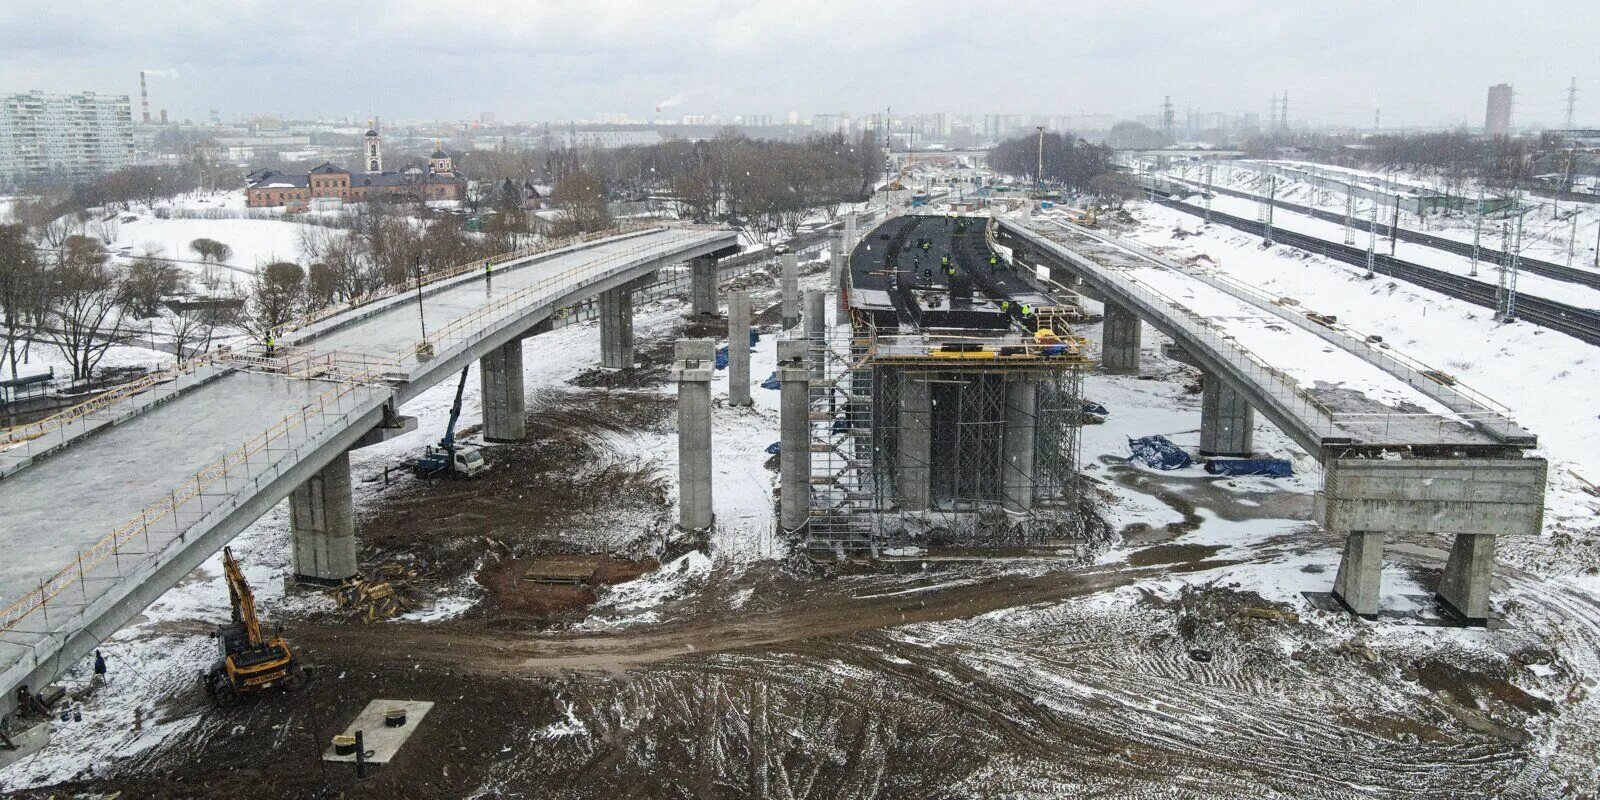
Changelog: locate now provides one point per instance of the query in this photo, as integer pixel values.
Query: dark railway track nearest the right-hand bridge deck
(1580, 324)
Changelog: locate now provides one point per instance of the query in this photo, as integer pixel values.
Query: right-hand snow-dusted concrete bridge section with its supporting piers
(1404, 450)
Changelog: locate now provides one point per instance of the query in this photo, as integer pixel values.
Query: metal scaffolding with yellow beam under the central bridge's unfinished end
(943, 441)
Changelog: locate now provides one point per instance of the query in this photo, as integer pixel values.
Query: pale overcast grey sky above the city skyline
(1423, 62)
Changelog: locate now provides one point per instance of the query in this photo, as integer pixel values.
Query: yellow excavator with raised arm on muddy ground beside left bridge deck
(249, 663)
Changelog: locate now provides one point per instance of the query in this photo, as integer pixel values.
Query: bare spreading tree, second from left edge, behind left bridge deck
(86, 313)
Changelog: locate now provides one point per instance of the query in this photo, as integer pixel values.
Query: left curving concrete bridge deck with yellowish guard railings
(108, 518)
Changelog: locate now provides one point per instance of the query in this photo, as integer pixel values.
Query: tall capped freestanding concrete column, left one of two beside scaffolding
(692, 367)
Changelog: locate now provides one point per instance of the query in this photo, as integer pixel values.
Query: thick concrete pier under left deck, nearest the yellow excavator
(322, 526)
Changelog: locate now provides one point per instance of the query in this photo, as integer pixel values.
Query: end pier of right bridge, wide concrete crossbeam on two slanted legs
(1473, 500)
